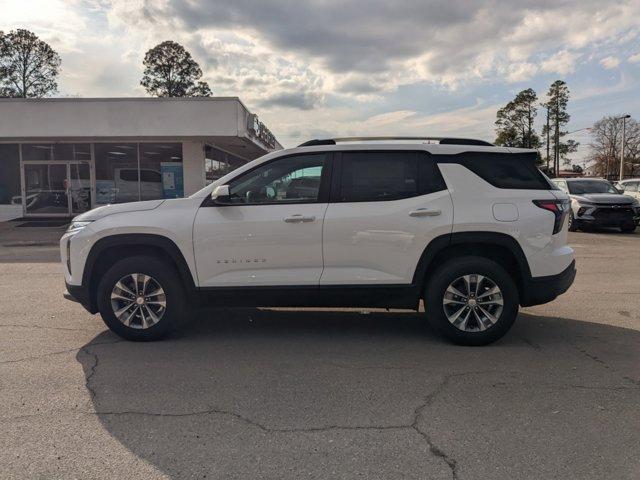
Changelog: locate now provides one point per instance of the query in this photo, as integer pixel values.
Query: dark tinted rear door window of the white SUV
(371, 176)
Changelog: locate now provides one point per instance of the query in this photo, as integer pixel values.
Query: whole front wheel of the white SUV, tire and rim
(152, 273)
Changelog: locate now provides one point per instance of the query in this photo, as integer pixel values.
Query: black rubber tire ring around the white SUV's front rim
(167, 277)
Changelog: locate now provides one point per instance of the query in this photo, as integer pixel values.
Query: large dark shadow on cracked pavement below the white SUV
(292, 394)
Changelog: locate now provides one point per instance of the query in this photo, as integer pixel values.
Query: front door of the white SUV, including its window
(271, 231)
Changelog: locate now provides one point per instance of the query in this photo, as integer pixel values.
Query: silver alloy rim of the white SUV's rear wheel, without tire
(473, 303)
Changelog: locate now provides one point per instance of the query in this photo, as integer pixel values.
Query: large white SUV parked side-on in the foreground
(472, 229)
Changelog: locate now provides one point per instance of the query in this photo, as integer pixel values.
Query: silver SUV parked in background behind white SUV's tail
(595, 202)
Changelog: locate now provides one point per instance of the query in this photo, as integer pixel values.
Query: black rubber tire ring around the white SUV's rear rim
(447, 273)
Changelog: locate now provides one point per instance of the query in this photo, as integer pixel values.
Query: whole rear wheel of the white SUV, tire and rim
(478, 329)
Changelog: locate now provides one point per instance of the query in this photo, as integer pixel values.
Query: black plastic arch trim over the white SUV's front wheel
(109, 249)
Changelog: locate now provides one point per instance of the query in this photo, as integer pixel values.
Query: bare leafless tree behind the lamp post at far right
(606, 141)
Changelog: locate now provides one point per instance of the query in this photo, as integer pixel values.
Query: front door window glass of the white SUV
(294, 179)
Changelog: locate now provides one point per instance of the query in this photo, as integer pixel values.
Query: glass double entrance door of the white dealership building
(60, 189)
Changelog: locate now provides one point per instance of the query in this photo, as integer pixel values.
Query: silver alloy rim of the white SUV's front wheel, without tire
(138, 301)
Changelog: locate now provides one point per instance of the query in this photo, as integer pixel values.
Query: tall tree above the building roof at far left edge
(29, 67)
